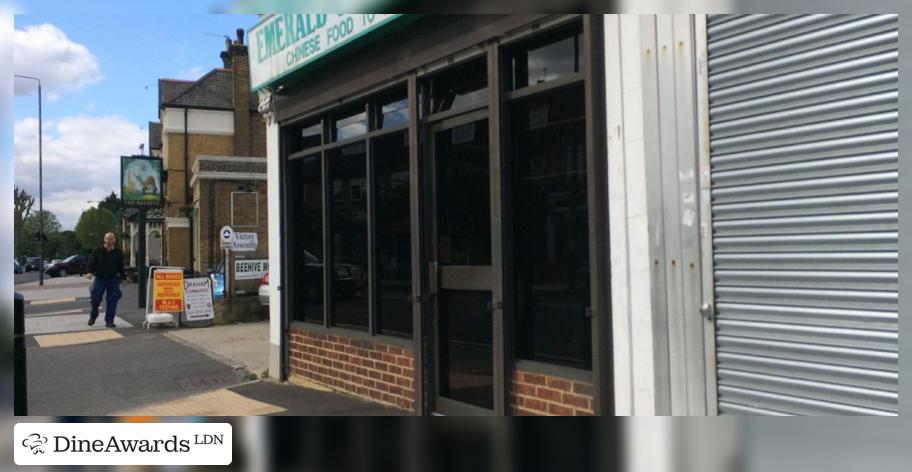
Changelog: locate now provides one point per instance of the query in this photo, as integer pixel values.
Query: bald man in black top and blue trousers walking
(105, 264)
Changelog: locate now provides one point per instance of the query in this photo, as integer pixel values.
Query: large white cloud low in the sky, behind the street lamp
(81, 160)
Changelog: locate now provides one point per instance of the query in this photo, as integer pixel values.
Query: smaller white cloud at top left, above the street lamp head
(44, 51)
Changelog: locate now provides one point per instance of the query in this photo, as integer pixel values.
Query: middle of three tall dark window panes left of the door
(348, 233)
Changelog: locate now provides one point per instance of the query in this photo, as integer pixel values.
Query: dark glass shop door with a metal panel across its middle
(460, 266)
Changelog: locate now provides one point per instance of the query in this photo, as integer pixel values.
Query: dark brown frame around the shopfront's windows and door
(418, 132)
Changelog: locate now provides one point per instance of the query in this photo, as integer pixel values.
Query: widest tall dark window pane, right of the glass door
(551, 224)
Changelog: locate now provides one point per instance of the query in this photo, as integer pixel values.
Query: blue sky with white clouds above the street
(99, 78)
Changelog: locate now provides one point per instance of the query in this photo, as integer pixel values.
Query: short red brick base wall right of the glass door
(538, 394)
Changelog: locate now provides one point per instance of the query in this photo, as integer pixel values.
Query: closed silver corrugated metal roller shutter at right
(804, 153)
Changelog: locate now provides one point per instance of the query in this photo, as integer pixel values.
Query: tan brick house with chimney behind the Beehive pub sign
(212, 143)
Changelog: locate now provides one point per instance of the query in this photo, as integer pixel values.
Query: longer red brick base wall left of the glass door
(380, 372)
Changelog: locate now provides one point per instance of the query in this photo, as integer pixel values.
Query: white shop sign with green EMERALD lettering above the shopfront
(283, 43)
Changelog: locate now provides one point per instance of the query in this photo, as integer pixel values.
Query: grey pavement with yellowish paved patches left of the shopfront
(78, 370)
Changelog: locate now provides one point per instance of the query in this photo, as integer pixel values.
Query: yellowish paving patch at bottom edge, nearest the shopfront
(216, 403)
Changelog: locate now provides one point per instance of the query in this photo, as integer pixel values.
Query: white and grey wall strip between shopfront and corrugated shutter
(656, 288)
